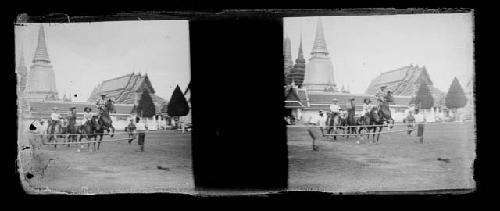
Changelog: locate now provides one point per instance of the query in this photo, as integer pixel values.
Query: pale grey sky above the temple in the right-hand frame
(362, 47)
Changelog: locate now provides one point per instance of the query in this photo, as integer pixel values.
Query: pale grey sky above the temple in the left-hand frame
(84, 54)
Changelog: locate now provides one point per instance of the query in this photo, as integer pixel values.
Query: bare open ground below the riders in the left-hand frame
(118, 167)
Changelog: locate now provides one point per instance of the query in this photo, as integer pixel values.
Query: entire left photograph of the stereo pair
(104, 107)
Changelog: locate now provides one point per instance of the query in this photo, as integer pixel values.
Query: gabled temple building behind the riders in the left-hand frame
(126, 89)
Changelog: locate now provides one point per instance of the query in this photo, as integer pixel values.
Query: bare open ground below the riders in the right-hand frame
(399, 163)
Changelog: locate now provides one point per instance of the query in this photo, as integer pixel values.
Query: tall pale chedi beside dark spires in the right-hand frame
(319, 69)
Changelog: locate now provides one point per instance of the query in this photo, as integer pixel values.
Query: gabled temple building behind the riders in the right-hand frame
(405, 81)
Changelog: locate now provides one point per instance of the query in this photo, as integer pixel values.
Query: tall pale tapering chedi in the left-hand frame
(42, 83)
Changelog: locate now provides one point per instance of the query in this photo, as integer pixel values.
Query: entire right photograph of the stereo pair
(378, 103)
